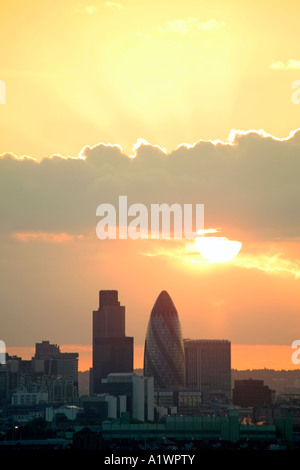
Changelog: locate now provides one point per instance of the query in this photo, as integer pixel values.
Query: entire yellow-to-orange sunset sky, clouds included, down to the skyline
(165, 102)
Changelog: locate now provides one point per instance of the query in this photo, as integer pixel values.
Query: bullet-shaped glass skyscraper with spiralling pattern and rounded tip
(164, 349)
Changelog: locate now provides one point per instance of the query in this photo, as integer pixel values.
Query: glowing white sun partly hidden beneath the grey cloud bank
(217, 249)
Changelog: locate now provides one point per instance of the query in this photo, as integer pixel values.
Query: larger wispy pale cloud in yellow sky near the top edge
(183, 26)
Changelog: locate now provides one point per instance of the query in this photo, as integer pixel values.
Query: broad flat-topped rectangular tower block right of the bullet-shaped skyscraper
(208, 367)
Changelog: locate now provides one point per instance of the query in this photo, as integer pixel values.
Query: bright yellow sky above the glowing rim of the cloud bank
(79, 73)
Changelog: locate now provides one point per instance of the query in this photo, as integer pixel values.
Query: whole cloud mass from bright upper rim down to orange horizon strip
(52, 263)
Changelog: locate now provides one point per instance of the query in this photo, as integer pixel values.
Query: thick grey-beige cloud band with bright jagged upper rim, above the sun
(248, 184)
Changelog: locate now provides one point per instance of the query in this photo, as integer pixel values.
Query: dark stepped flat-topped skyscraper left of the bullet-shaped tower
(112, 350)
